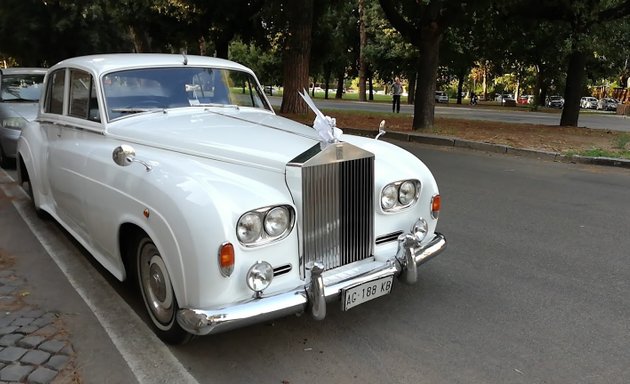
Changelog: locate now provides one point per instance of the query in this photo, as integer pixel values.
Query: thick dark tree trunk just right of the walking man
(424, 108)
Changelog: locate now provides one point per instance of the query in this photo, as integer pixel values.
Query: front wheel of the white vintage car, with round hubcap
(157, 293)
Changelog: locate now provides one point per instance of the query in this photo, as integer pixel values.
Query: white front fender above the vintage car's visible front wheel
(189, 206)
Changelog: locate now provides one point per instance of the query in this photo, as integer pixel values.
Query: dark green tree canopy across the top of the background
(538, 47)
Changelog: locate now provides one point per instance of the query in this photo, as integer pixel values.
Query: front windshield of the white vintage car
(141, 90)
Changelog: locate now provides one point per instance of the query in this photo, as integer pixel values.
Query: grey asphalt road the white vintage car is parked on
(533, 288)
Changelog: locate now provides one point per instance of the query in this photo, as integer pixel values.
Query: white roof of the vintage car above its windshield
(116, 61)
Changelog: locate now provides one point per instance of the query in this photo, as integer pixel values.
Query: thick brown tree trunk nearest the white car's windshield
(296, 55)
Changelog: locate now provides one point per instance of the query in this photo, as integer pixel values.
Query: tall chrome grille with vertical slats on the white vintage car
(337, 211)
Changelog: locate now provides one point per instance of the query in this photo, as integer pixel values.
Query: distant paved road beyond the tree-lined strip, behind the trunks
(589, 119)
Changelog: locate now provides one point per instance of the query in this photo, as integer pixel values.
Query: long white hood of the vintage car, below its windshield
(241, 136)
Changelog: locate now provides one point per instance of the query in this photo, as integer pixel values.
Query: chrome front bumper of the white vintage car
(310, 297)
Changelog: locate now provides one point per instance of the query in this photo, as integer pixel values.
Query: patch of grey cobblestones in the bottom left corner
(34, 348)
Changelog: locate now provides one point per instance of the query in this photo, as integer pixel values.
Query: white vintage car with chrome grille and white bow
(175, 170)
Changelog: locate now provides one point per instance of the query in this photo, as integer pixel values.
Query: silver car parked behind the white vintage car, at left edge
(20, 89)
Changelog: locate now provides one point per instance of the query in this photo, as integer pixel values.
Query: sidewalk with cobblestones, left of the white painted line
(47, 332)
